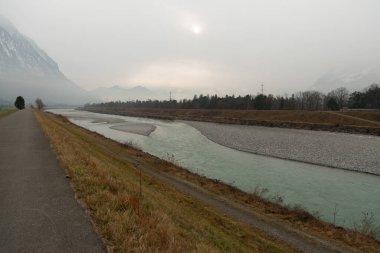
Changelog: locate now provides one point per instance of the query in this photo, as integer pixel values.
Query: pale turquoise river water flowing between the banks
(342, 194)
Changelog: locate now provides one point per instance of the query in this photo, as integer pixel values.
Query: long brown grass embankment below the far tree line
(353, 122)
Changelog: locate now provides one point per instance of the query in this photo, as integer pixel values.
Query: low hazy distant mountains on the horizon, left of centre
(117, 93)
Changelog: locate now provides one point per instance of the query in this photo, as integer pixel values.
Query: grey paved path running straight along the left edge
(38, 210)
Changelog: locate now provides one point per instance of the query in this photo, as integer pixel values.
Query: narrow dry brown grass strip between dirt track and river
(295, 216)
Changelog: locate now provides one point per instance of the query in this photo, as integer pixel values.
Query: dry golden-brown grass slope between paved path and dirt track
(163, 220)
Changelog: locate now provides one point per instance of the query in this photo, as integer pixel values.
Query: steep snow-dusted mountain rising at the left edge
(27, 70)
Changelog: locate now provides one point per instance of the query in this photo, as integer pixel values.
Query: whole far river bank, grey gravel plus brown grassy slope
(355, 152)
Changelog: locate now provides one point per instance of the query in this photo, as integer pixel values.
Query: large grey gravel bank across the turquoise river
(346, 151)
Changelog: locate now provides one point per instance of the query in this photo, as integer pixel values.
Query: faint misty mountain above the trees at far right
(352, 79)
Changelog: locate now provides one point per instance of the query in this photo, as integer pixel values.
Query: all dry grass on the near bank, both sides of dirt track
(163, 219)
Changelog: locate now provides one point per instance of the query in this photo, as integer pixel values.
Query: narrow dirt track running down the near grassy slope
(280, 230)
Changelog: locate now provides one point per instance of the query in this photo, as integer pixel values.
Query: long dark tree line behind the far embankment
(307, 100)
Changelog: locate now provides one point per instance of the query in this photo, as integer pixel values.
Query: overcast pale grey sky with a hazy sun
(207, 45)
